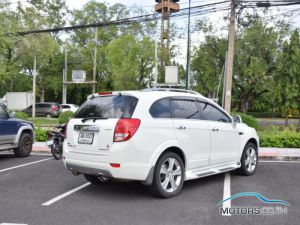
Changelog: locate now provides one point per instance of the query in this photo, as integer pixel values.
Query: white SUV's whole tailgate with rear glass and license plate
(92, 128)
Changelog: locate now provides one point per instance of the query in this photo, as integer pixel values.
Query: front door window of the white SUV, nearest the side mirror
(210, 112)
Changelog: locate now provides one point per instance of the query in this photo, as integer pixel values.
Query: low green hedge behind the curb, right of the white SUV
(288, 138)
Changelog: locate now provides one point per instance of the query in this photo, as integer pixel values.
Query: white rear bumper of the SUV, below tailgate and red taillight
(99, 164)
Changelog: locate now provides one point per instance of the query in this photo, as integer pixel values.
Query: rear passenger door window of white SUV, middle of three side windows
(184, 109)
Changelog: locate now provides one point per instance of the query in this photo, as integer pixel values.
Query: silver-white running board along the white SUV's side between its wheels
(207, 171)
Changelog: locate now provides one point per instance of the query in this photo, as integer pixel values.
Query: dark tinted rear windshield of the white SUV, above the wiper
(112, 106)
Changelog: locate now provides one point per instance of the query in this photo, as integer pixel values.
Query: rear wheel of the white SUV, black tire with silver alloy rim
(168, 176)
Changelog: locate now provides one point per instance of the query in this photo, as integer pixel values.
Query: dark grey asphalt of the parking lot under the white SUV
(25, 189)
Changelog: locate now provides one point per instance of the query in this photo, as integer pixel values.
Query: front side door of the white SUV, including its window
(224, 136)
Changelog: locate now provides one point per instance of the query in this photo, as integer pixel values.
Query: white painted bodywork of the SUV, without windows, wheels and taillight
(207, 147)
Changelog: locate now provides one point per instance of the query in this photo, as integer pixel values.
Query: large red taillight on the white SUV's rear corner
(125, 129)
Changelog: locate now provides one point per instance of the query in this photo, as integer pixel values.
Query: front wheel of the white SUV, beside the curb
(249, 160)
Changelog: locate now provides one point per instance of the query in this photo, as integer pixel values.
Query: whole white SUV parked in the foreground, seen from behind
(160, 137)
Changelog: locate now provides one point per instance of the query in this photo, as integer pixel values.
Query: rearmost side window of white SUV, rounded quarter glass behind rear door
(161, 108)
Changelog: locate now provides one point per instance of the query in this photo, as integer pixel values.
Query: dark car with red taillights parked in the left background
(48, 109)
